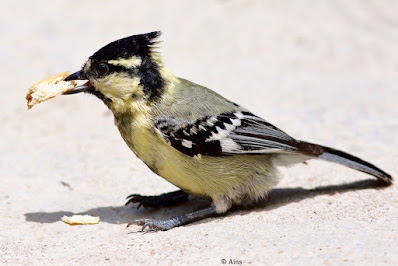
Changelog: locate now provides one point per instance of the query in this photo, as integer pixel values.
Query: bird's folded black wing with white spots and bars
(238, 132)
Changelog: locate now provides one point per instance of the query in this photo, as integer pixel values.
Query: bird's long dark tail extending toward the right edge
(340, 157)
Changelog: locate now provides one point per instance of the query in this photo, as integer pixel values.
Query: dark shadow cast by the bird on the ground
(277, 198)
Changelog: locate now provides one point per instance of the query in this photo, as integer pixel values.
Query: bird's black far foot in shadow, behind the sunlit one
(165, 199)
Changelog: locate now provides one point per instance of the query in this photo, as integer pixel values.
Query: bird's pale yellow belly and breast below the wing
(240, 177)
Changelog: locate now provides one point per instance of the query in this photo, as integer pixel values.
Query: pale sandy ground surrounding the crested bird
(323, 71)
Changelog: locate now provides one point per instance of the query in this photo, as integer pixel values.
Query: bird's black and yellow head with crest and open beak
(125, 74)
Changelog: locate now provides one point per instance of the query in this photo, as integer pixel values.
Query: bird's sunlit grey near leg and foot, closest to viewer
(155, 225)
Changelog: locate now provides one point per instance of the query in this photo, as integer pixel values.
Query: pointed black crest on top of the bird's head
(136, 45)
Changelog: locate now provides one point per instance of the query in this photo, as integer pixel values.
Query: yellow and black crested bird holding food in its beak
(206, 145)
